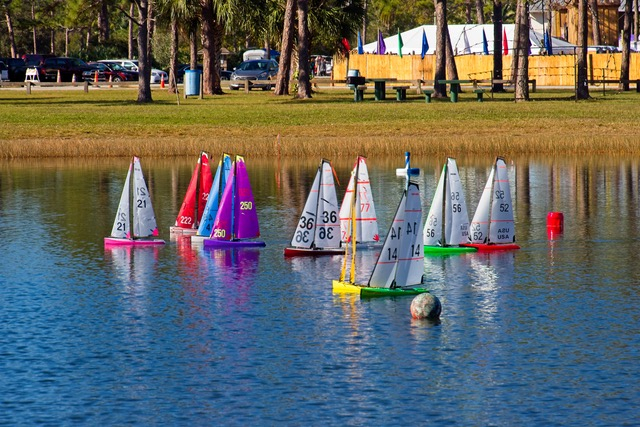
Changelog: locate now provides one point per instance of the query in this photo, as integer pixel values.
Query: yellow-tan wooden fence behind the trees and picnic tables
(554, 70)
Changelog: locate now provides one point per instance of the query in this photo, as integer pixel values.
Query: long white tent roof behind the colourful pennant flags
(465, 39)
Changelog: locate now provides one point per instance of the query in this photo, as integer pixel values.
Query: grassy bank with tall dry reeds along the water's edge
(108, 122)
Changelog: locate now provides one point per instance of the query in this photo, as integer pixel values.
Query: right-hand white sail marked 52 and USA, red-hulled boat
(501, 227)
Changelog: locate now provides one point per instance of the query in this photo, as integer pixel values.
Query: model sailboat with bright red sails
(195, 199)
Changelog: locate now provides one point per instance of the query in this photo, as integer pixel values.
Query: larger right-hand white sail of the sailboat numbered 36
(327, 226)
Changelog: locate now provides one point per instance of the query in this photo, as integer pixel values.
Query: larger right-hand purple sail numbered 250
(246, 218)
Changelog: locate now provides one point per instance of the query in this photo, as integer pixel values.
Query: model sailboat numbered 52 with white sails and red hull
(492, 227)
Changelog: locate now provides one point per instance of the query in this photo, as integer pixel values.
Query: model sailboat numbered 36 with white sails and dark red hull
(318, 231)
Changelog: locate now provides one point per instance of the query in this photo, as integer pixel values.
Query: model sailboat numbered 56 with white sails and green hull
(447, 225)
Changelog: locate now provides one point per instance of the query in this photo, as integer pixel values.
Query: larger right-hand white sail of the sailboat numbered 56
(456, 214)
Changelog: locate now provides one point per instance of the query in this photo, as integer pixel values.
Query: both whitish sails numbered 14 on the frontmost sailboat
(401, 261)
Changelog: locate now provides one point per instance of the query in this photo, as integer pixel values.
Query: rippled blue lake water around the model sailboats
(547, 335)
